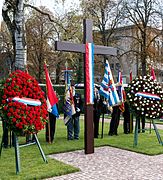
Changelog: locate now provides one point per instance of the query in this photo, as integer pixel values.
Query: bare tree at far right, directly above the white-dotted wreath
(145, 15)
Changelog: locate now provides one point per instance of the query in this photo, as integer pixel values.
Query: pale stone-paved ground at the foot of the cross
(108, 163)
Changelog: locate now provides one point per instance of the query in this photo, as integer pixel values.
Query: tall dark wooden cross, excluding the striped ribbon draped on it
(80, 48)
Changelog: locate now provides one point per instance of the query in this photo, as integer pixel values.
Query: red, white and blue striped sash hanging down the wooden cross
(89, 69)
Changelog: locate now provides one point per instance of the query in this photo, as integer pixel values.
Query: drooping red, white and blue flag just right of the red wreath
(52, 99)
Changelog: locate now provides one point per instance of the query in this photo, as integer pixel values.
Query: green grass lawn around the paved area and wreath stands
(33, 166)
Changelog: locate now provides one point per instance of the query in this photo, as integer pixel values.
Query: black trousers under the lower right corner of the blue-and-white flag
(114, 120)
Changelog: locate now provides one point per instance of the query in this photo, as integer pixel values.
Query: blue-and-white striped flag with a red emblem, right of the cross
(107, 87)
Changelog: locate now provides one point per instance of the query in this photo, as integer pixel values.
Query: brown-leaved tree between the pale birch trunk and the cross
(40, 31)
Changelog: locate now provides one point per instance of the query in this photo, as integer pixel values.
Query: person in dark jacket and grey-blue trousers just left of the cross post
(73, 126)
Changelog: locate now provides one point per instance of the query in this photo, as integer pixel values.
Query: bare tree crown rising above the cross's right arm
(106, 14)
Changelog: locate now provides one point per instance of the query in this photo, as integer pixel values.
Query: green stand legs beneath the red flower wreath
(17, 146)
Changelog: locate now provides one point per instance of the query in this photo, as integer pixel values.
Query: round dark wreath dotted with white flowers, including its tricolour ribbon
(145, 97)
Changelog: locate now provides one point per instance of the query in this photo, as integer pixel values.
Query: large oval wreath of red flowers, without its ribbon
(21, 117)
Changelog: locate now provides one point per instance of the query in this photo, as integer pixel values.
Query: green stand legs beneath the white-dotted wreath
(155, 129)
